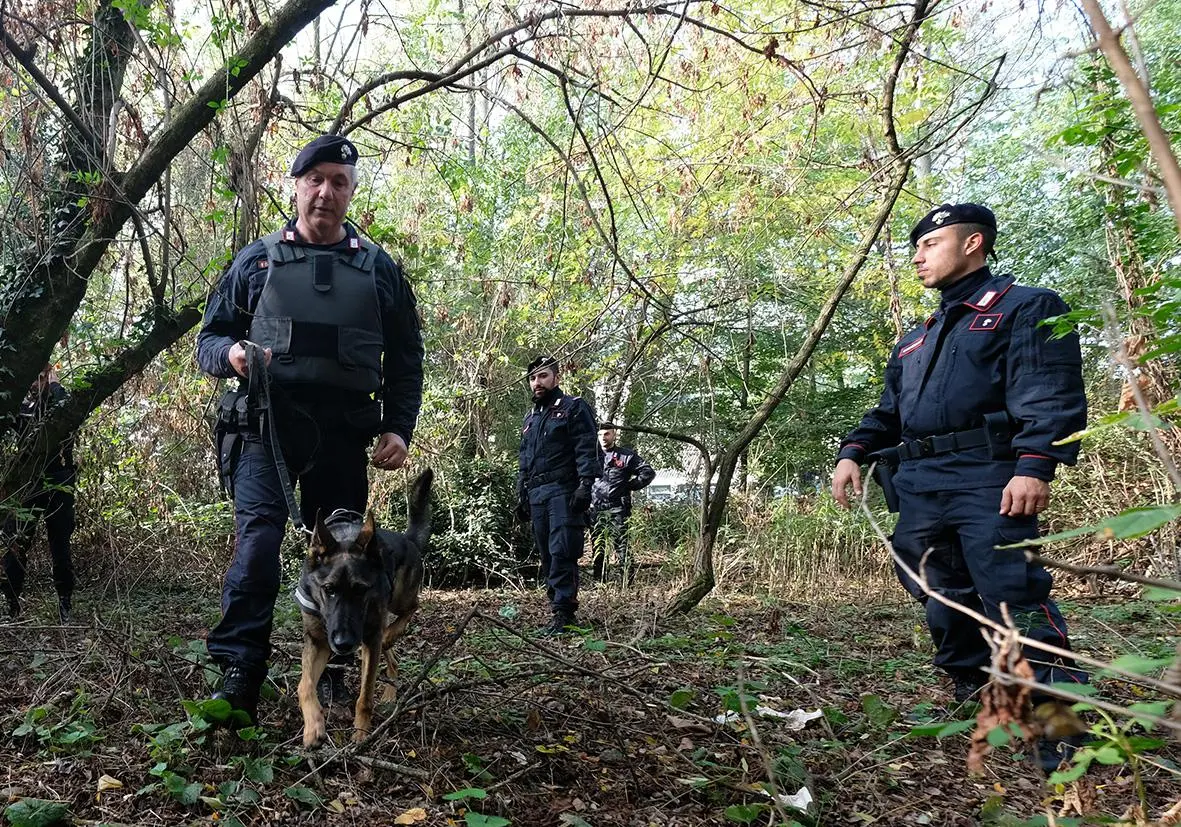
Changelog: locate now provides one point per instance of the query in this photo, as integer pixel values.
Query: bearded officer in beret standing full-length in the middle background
(558, 466)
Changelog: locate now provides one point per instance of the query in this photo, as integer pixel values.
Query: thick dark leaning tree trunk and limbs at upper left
(81, 236)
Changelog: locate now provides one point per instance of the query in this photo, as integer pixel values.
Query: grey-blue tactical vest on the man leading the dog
(319, 315)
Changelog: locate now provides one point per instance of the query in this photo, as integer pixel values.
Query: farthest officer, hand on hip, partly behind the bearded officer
(624, 471)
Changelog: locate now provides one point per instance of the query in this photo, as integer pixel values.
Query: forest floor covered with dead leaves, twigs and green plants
(632, 722)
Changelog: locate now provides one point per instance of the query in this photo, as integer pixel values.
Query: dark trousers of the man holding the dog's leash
(336, 480)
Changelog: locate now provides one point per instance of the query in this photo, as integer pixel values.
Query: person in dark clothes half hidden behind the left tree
(54, 500)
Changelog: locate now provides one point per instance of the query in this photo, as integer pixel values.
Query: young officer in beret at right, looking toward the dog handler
(975, 400)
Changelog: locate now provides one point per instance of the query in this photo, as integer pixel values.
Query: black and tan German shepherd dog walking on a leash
(360, 589)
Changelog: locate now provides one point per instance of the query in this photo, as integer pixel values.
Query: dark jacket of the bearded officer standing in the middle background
(558, 448)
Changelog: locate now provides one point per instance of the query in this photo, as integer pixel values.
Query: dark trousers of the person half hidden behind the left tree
(56, 504)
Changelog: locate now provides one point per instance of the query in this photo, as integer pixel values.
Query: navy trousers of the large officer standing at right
(964, 529)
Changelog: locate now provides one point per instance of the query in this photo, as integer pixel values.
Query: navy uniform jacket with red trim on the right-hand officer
(982, 353)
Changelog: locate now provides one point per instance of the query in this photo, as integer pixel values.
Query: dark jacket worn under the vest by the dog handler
(231, 310)
